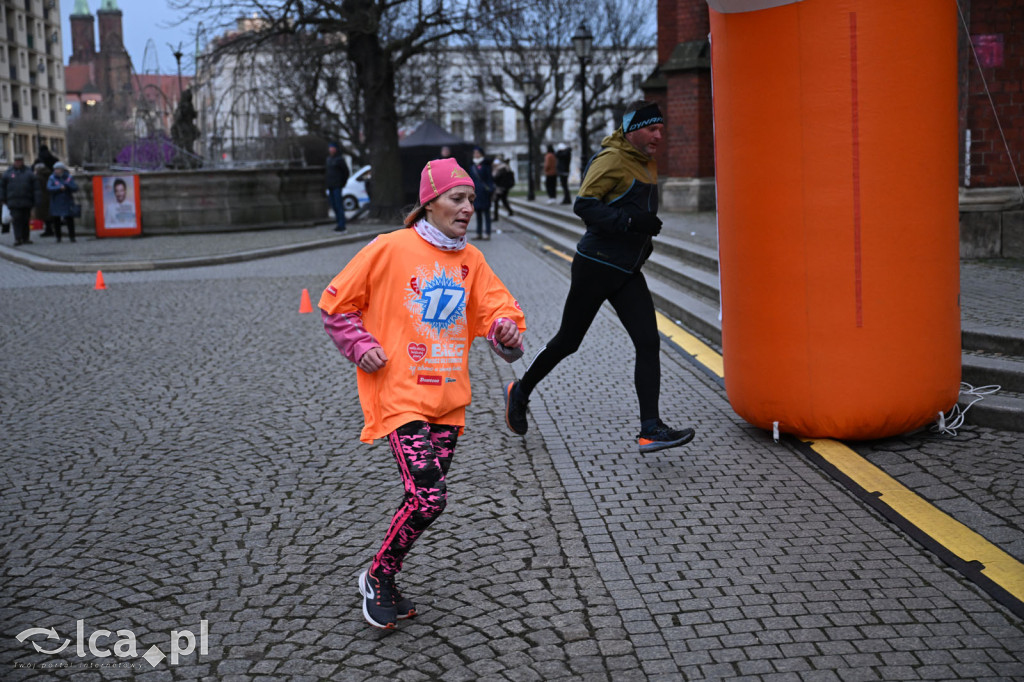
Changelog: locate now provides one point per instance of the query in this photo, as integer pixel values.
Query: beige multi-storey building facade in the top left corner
(32, 79)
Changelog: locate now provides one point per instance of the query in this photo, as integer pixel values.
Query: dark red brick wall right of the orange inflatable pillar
(998, 34)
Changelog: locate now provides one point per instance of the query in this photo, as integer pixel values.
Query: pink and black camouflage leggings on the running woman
(423, 452)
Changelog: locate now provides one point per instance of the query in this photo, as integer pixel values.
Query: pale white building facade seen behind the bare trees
(242, 100)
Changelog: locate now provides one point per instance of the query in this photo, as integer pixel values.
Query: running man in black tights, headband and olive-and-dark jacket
(618, 201)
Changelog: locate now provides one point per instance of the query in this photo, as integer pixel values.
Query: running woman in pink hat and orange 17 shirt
(406, 311)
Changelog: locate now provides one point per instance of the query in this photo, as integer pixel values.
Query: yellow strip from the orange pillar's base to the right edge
(1002, 569)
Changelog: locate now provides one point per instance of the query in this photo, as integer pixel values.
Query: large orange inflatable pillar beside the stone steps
(836, 159)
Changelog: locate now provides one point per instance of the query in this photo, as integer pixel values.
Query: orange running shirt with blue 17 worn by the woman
(425, 307)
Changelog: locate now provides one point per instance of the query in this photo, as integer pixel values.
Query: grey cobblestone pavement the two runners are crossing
(184, 448)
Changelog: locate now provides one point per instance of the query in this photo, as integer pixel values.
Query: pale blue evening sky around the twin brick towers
(143, 21)
